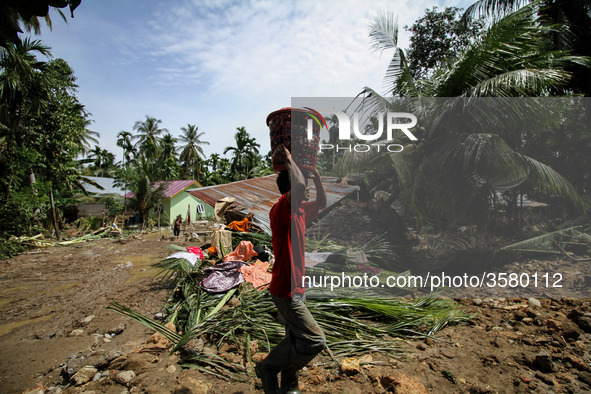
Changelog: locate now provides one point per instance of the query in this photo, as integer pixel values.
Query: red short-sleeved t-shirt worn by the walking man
(288, 232)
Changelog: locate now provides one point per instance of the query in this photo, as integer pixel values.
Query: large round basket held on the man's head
(289, 126)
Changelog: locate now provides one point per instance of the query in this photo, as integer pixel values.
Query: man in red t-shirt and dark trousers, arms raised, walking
(304, 338)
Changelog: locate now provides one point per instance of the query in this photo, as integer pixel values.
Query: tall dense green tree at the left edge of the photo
(43, 128)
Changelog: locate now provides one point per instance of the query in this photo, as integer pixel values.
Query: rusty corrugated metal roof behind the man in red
(258, 195)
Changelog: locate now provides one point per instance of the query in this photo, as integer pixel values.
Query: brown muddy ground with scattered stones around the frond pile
(53, 323)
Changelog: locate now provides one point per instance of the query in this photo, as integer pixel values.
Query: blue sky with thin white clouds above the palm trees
(219, 64)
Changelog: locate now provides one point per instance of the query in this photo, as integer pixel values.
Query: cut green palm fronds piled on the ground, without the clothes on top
(246, 319)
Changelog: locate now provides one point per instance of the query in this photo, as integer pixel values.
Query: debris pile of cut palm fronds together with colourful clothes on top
(225, 320)
